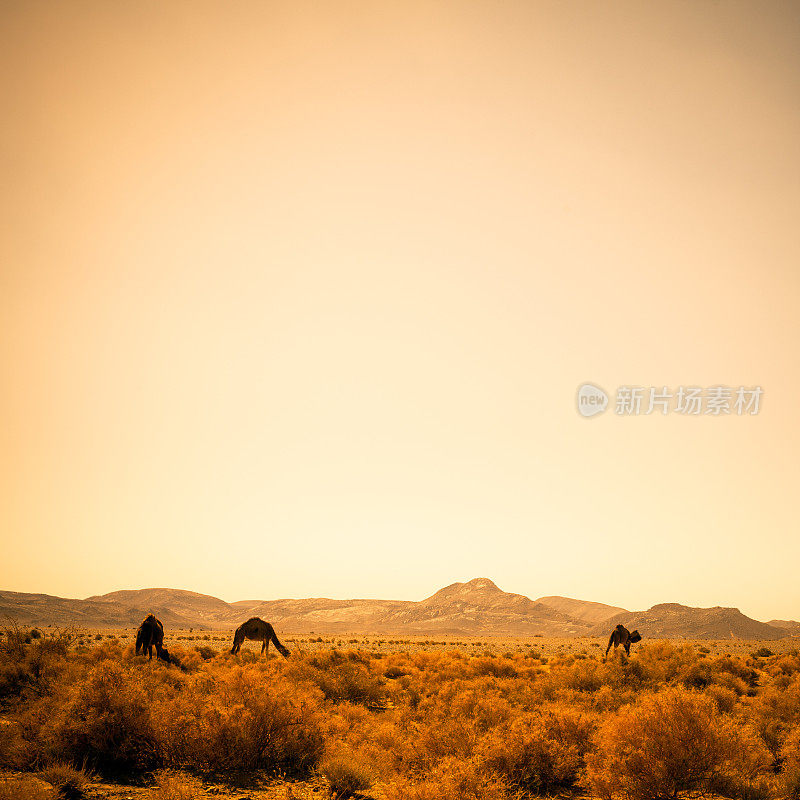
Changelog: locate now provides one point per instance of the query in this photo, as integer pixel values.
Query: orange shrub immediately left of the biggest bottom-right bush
(540, 751)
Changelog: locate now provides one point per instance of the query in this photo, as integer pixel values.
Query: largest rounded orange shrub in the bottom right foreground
(668, 743)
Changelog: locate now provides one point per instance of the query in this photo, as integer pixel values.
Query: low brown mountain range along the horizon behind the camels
(475, 608)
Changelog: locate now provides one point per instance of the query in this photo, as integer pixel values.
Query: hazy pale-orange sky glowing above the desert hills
(295, 298)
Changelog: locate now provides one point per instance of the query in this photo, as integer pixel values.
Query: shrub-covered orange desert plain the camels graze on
(395, 717)
